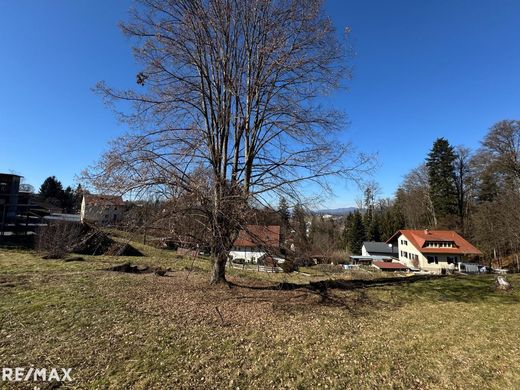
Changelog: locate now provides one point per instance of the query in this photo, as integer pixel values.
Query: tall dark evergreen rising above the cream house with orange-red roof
(441, 179)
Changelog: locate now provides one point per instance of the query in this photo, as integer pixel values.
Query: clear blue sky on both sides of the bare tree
(422, 70)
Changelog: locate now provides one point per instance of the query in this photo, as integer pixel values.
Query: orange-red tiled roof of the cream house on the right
(419, 238)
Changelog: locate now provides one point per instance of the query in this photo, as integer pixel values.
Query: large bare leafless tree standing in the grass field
(229, 88)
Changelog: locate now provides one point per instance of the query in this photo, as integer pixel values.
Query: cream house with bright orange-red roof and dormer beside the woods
(432, 250)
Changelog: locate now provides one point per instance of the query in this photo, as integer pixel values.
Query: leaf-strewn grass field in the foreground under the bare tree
(123, 331)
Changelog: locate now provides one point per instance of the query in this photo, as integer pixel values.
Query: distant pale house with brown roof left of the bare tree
(103, 209)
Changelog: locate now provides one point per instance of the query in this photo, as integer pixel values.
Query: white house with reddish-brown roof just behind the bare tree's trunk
(255, 243)
